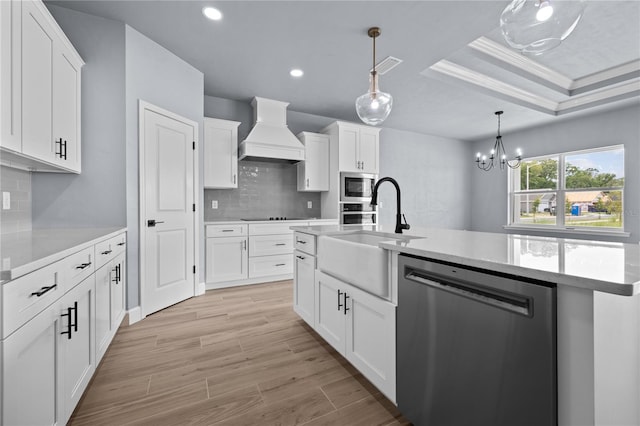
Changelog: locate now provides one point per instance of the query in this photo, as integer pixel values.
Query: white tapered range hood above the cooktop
(270, 139)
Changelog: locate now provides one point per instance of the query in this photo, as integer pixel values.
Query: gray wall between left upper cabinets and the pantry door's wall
(94, 198)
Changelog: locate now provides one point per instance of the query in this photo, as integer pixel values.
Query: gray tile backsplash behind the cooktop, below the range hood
(264, 190)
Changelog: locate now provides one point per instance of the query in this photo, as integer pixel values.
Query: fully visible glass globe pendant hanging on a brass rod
(374, 106)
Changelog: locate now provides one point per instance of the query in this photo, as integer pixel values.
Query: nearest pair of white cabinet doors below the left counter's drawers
(48, 363)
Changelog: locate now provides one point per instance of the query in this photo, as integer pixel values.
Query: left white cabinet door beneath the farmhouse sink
(329, 310)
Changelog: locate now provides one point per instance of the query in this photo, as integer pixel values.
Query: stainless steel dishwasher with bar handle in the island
(474, 347)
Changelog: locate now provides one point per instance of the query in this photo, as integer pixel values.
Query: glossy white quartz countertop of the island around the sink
(595, 265)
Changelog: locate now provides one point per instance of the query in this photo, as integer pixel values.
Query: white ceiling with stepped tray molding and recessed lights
(251, 50)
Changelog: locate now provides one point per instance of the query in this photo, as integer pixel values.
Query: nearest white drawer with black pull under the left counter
(24, 297)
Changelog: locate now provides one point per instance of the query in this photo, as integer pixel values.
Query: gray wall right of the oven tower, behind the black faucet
(433, 176)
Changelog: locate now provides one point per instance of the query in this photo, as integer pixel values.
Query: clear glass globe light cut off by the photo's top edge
(535, 26)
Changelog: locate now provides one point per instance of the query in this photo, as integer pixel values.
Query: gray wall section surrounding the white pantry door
(155, 75)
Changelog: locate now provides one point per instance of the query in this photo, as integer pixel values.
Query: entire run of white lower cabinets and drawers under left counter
(49, 347)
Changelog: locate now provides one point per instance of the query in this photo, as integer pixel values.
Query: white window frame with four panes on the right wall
(513, 205)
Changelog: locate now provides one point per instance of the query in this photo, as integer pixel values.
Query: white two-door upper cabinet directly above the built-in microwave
(358, 146)
